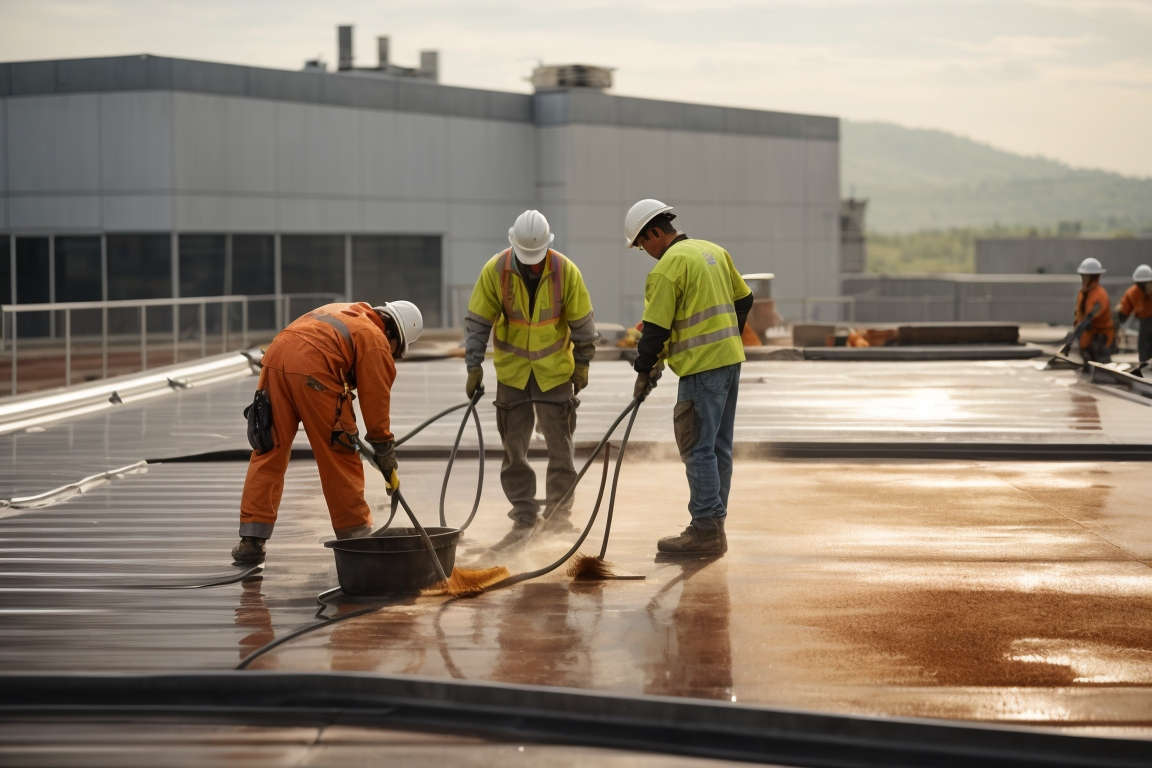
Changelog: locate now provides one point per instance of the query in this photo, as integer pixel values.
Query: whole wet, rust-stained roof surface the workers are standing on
(995, 591)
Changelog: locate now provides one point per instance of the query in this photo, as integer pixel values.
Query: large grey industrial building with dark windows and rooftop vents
(143, 177)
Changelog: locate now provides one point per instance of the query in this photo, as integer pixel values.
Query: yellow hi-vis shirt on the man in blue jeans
(692, 291)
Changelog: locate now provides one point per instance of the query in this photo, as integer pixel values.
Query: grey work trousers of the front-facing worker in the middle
(517, 414)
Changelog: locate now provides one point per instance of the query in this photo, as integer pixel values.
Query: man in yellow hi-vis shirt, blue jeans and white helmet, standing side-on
(695, 308)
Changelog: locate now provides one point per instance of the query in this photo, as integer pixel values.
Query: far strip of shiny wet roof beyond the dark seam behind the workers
(1010, 402)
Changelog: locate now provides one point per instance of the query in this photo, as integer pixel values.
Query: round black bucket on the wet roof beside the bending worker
(395, 562)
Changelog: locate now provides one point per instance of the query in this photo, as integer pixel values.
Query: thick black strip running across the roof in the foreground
(660, 725)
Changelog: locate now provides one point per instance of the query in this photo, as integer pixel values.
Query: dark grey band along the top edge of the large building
(545, 109)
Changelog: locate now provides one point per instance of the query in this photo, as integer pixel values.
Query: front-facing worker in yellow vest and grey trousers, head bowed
(545, 338)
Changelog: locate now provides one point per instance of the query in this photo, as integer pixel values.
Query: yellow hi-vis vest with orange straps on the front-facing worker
(540, 345)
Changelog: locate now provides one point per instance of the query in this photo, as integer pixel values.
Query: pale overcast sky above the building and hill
(1071, 80)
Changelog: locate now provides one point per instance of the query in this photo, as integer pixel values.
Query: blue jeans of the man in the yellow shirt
(703, 422)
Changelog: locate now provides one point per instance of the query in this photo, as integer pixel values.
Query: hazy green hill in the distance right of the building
(934, 180)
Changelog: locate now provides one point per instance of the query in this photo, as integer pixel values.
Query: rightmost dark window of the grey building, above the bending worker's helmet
(388, 268)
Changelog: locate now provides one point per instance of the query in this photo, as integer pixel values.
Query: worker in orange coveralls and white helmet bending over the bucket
(309, 372)
